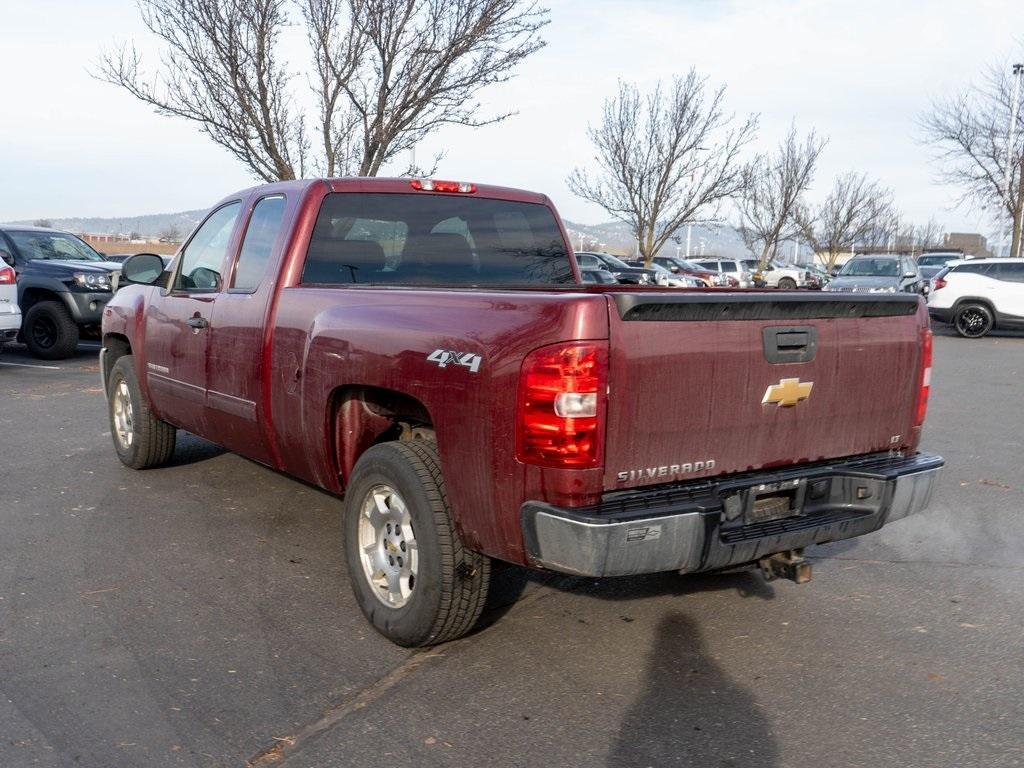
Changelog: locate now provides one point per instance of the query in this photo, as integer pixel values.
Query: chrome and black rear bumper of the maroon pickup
(709, 526)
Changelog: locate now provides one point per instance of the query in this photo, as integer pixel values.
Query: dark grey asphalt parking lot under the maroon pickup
(200, 616)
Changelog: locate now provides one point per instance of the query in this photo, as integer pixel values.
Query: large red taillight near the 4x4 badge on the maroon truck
(563, 402)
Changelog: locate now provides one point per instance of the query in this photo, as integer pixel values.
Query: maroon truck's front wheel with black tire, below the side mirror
(152, 441)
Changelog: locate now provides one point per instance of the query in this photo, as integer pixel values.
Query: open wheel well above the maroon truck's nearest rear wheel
(362, 417)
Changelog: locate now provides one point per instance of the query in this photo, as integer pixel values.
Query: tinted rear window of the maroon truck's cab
(423, 239)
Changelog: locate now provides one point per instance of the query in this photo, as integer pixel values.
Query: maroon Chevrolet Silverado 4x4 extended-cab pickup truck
(426, 351)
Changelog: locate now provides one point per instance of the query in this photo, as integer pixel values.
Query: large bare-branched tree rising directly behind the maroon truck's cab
(388, 74)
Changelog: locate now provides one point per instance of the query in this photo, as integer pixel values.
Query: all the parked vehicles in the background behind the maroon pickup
(54, 286)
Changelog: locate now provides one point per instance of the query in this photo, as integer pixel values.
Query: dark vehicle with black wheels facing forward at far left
(63, 286)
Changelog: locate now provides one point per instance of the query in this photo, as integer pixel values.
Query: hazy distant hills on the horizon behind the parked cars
(616, 237)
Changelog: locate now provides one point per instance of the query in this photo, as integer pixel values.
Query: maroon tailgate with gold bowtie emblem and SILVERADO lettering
(698, 381)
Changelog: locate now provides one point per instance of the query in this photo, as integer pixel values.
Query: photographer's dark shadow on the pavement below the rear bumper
(691, 712)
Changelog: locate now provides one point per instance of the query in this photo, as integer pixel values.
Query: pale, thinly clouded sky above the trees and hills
(857, 72)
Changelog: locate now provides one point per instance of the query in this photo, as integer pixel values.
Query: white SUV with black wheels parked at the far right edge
(979, 295)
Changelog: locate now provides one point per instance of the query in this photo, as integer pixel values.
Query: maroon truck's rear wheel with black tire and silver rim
(451, 584)
